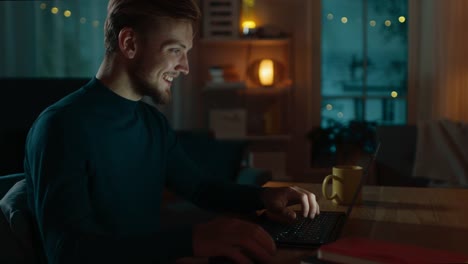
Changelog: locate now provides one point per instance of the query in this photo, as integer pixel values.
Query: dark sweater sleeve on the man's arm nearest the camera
(56, 164)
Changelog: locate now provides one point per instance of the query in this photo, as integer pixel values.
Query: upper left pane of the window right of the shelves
(342, 47)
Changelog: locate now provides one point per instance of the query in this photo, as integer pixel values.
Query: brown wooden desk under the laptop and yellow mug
(430, 217)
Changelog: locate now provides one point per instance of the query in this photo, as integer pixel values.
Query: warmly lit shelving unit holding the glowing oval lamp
(260, 115)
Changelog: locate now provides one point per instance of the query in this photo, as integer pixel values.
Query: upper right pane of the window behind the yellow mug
(387, 47)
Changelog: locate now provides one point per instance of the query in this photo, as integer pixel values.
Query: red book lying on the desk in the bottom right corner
(360, 250)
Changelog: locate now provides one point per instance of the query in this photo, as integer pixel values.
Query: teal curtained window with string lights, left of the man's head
(51, 38)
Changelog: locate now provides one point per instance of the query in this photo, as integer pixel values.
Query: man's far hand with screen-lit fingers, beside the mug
(277, 200)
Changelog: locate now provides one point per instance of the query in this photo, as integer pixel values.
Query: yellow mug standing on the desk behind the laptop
(346, 180)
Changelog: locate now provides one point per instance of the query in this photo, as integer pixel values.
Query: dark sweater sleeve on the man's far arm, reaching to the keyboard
(186, 179)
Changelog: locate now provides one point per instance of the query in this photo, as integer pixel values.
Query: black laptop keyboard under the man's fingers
(305, 231)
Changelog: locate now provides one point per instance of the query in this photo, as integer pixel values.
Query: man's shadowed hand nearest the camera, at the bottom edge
(241, 241)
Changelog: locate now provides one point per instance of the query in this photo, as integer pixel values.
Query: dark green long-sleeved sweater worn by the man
(96, 165)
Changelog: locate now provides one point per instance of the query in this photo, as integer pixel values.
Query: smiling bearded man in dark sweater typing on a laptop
(97, 161)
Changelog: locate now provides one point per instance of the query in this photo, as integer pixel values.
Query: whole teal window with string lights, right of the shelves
(364, 61)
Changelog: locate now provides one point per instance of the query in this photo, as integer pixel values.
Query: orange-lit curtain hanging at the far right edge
(441, 90)
